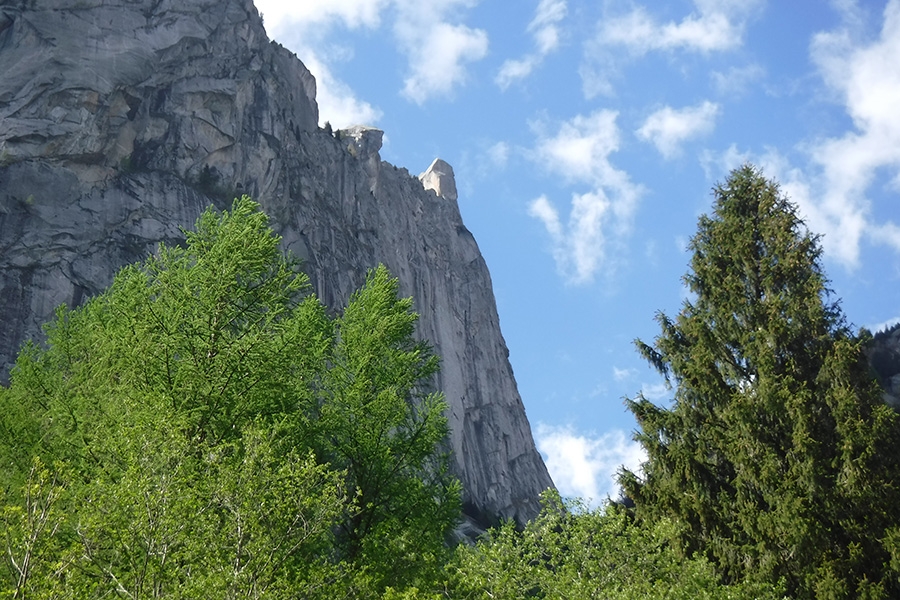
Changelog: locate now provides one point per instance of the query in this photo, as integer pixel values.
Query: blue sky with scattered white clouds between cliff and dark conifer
(585, 138)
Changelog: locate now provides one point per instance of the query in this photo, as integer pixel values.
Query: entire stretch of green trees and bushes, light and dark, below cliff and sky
(206, 429)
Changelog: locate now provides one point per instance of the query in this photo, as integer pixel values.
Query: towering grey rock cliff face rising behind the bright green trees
(121, 120)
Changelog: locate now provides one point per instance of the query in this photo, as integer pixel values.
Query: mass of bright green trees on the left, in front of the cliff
(214, 433)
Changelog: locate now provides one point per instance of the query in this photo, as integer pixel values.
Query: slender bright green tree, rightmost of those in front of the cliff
(383, 429)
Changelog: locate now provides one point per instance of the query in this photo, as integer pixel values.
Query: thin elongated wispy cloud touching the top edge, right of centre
(712, 26)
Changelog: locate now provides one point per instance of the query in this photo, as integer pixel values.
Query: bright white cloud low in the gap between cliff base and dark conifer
(586, 467)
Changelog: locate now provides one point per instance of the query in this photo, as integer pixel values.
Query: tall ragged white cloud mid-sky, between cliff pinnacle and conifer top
(579, 152)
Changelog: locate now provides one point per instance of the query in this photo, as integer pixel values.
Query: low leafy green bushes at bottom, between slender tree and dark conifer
(569, 552)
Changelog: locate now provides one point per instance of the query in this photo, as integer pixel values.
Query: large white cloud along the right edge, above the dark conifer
(831, 188)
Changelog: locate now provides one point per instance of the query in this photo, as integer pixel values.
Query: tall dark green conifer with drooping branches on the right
(778, 458)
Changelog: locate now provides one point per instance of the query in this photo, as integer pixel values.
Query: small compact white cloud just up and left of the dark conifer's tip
(667, 128)
